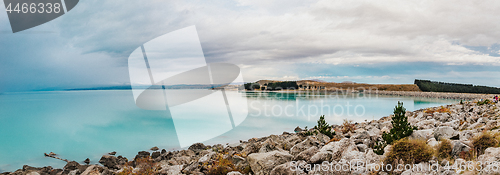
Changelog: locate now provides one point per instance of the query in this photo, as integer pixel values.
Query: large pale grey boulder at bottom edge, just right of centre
(264, 163)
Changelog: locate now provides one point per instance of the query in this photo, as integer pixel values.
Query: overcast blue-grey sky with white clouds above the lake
(362, 41)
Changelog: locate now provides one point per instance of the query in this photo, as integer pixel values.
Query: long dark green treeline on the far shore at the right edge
(435, 86)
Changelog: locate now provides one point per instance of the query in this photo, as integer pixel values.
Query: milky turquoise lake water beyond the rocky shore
(87, 124)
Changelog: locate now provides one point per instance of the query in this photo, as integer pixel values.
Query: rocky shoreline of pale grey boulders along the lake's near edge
(301, 152)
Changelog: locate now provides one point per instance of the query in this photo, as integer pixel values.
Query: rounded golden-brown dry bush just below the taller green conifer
(410, 151)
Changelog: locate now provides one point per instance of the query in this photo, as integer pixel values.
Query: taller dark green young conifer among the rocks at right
(400, 126)
